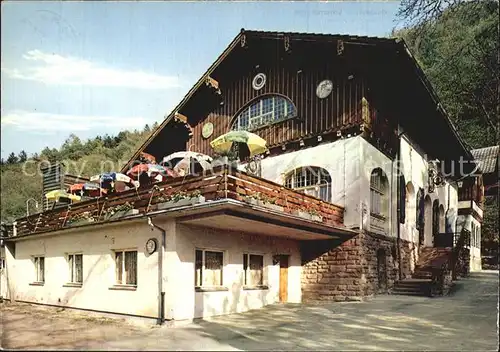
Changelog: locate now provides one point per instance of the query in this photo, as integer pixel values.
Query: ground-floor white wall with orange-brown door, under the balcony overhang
(191, 304)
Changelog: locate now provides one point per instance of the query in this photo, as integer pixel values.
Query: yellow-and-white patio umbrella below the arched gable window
(224, 143)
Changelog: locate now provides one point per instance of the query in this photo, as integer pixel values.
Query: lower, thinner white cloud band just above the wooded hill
(50, 123)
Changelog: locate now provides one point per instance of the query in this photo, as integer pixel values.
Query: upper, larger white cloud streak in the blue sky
(53, 69)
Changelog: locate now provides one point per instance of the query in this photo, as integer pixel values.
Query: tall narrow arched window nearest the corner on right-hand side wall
(379, 200)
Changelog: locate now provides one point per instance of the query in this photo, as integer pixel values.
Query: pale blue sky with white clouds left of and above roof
(92, 68)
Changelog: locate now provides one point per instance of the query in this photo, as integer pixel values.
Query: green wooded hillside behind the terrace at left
(21, 180)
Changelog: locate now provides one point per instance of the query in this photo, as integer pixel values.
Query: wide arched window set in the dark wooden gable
(265, 111)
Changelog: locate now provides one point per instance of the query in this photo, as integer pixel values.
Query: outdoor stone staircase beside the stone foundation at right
(420, 282)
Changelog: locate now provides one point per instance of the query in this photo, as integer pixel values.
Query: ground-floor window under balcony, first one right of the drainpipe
(208, 268)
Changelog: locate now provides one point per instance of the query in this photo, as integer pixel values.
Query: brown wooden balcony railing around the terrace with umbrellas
(219, 183)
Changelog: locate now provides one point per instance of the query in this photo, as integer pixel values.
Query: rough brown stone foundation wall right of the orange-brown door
(362, 266)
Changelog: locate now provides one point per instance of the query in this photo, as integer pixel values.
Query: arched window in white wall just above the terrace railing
(311, 180)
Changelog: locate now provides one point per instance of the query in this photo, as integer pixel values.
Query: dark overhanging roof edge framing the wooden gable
(392, 44)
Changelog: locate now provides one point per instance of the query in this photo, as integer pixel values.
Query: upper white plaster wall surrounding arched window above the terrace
(342, 159)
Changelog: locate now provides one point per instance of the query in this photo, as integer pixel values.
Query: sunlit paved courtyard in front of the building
(466, 320)
